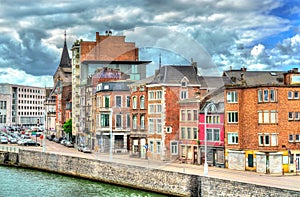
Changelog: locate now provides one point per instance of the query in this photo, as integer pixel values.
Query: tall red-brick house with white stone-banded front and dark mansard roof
(170, 85)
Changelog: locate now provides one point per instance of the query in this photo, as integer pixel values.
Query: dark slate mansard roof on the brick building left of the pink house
(174, 74)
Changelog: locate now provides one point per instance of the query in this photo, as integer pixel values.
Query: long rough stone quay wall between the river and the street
(161, 181)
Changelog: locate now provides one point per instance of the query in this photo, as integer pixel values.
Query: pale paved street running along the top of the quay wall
(288, 181)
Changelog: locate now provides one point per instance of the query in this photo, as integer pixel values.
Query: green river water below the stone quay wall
(20, 182)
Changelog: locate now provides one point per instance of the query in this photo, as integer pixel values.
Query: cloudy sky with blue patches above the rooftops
(217, 34)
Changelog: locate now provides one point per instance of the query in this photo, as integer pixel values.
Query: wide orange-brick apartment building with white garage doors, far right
(262, 120)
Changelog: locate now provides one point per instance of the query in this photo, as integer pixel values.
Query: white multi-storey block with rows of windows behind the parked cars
(21, 106)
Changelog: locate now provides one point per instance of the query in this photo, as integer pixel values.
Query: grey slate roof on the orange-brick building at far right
(254, 78)
